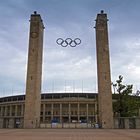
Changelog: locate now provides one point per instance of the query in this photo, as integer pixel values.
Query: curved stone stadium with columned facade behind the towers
(61, 108)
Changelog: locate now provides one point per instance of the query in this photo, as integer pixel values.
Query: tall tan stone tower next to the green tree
(103, 68)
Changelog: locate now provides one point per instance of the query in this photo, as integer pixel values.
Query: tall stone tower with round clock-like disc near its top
(34, 73)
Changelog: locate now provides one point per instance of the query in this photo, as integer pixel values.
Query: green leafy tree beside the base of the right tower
(126, 104)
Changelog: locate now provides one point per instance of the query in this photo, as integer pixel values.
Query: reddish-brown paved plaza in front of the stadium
(69, 134)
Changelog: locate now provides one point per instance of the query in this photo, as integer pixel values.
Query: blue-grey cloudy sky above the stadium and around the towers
(68, 69)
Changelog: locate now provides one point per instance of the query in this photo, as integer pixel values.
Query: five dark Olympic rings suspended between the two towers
(68, 41)
